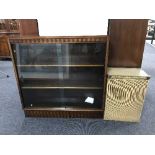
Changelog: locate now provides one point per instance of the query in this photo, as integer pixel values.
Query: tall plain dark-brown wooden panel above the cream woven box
(127, 39)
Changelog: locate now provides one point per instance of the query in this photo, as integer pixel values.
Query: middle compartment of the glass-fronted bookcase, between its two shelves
(62, 76)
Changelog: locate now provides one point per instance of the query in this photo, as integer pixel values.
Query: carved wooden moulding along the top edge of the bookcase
(61, 39)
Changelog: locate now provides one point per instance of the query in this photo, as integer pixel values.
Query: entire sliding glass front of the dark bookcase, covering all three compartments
(58, 75)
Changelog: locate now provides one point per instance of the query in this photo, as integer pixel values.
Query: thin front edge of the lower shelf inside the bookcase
(62, 87)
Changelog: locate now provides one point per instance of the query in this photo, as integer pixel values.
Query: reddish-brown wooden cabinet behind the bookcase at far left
(15, 28)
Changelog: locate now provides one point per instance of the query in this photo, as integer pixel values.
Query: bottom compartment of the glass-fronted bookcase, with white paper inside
(80, 98)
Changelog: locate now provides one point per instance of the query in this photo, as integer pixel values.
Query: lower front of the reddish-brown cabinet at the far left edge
(4, 49)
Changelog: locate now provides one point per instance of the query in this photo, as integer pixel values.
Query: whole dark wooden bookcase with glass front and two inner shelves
(61, 76)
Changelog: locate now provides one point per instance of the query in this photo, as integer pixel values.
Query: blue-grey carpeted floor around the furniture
(13, 121)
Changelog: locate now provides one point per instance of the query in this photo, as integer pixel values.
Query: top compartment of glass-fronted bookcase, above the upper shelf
(60, 54)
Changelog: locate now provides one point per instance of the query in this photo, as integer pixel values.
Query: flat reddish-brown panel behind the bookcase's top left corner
(29, 27)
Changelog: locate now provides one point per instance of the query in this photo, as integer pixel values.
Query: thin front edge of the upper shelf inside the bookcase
(60, 65)
